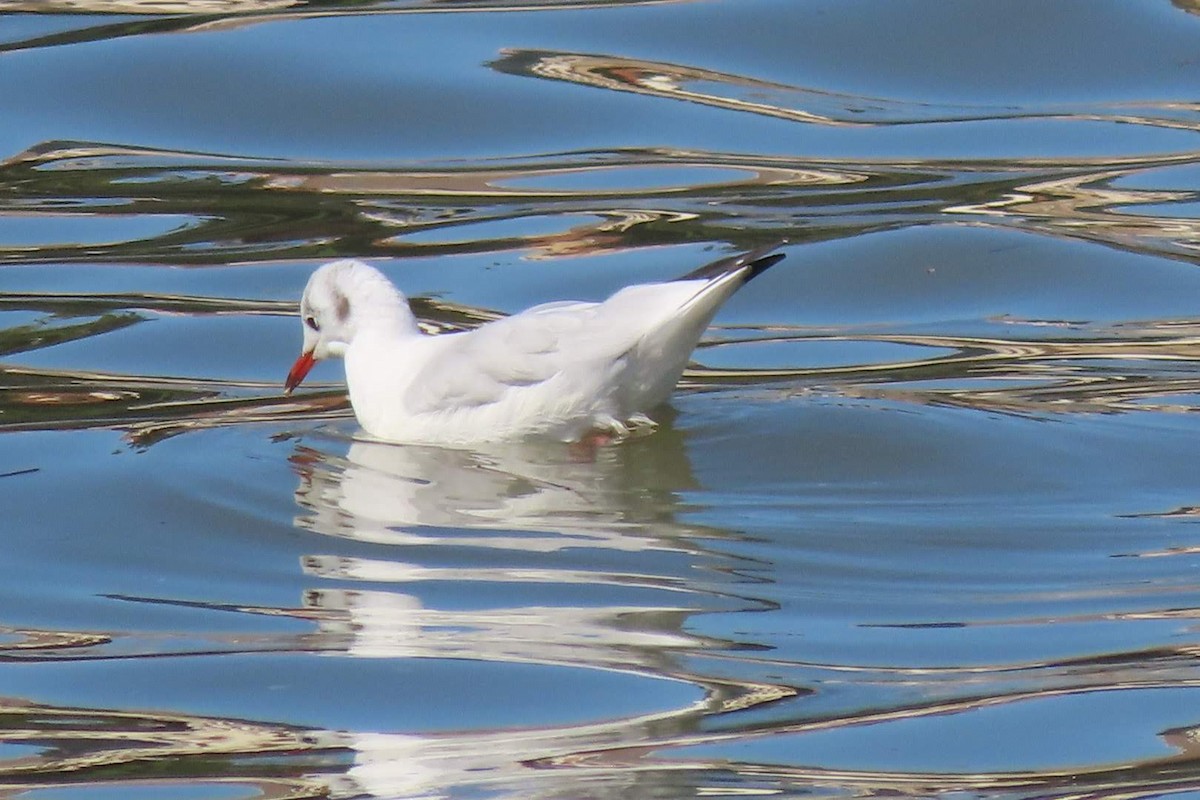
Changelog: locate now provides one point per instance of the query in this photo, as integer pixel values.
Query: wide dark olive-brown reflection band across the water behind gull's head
(177, 206)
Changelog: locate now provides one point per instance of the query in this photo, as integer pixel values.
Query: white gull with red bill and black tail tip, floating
(562, 370)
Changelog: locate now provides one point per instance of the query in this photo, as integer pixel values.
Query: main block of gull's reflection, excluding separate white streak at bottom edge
(530, 518)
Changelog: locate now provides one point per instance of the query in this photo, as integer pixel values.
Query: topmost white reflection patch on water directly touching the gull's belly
(405, 495)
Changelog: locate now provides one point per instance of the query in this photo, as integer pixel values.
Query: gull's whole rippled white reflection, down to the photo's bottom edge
(598, 573)
